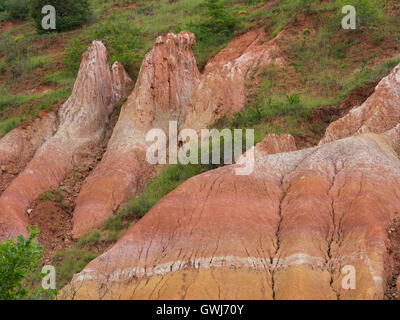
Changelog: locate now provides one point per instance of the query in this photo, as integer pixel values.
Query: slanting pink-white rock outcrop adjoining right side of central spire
(222, 88)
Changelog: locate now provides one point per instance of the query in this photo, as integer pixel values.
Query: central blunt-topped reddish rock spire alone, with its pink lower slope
(167, 79)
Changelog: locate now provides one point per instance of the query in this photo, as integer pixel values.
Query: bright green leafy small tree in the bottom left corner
(19, 261)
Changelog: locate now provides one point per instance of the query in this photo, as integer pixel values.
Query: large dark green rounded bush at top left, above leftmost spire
(70, 14)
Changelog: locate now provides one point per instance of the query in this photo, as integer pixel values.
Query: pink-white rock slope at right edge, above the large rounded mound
(379, 113)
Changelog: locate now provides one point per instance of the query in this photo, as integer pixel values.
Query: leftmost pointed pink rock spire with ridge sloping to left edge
(82, 121)
